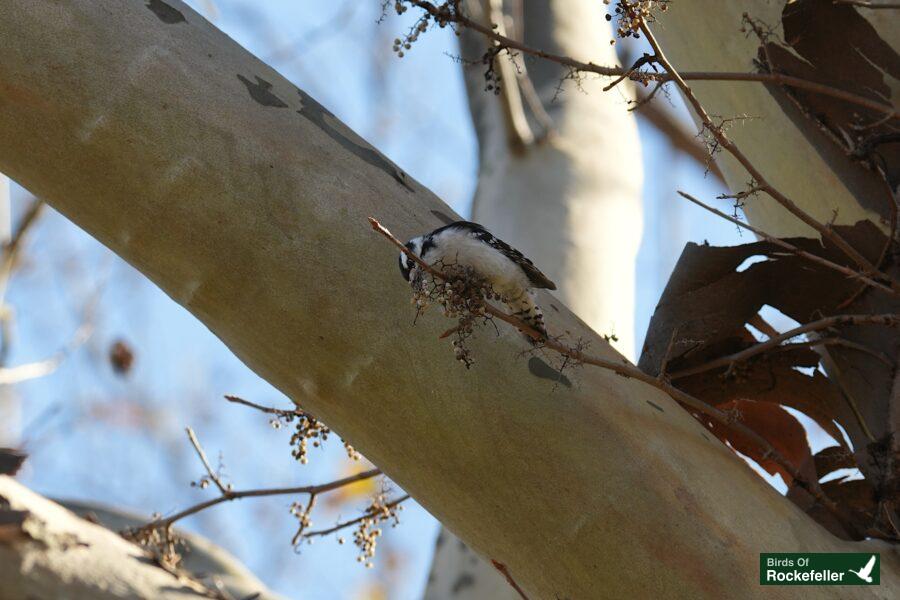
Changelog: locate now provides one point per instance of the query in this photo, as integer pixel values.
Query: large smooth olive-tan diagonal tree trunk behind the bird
(246, 201)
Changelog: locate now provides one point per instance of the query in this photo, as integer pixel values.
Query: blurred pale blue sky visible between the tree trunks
(120, 441)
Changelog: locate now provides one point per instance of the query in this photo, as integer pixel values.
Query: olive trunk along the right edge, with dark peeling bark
(838, 162)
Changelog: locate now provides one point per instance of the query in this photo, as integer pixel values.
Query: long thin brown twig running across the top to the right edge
(644, 76)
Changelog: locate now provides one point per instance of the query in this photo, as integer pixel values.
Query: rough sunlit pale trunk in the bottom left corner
(48, 552)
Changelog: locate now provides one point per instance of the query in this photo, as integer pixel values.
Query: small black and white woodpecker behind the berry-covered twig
(508, 271)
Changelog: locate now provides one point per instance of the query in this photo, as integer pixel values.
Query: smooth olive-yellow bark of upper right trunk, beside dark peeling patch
(787, 147)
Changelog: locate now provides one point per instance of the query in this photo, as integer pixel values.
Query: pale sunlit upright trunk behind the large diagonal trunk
(570, 199)
